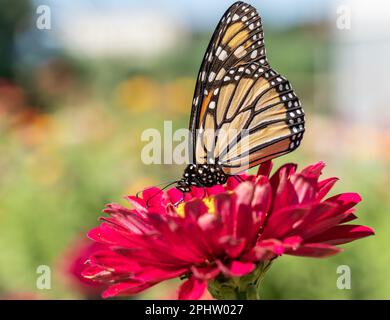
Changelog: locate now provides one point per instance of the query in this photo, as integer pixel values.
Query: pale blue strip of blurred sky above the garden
(199, 14)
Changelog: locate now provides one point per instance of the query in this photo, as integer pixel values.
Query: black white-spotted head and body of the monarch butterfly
(201, 175)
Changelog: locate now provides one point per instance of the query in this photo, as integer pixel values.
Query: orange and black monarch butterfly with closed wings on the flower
(237, 90)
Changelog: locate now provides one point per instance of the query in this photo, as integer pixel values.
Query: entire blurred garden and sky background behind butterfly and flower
(75, 99)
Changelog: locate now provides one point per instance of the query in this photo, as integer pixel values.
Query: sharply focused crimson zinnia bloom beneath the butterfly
(221, 232)
